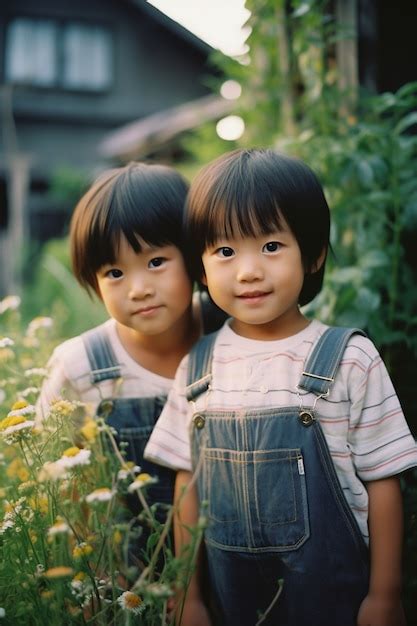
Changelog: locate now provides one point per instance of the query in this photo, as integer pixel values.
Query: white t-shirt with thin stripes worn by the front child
(362, 420)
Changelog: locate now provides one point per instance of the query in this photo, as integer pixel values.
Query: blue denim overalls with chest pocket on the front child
(276, 509)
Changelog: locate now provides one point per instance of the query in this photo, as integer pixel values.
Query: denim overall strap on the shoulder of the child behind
(103, 363)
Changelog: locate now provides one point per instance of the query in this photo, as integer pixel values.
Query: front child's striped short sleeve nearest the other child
(169, 443)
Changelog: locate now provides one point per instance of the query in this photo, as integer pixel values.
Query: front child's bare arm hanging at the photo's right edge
(382, 605)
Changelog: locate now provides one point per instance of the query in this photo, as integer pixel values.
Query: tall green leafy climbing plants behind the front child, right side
(364, 149)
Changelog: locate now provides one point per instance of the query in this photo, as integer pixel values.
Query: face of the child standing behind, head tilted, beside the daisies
(149, 291)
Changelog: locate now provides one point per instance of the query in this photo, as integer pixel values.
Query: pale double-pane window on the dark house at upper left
(71, 55)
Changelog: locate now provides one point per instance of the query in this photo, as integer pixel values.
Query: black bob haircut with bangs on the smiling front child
(253, 192)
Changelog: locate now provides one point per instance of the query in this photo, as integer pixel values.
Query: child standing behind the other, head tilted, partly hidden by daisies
(126, 244)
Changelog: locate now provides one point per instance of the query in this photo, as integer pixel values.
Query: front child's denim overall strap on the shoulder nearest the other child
(199, 366)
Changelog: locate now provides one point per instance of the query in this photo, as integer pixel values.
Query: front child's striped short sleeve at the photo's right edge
(379, 438)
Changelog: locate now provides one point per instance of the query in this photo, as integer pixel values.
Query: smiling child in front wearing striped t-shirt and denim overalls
(293, 429)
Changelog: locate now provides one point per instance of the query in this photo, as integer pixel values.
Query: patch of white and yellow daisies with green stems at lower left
(66, 532)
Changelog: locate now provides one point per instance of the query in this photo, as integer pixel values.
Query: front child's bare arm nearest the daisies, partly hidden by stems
(191, 610)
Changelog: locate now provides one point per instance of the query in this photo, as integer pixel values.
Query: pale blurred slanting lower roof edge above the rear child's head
(138, 138)
